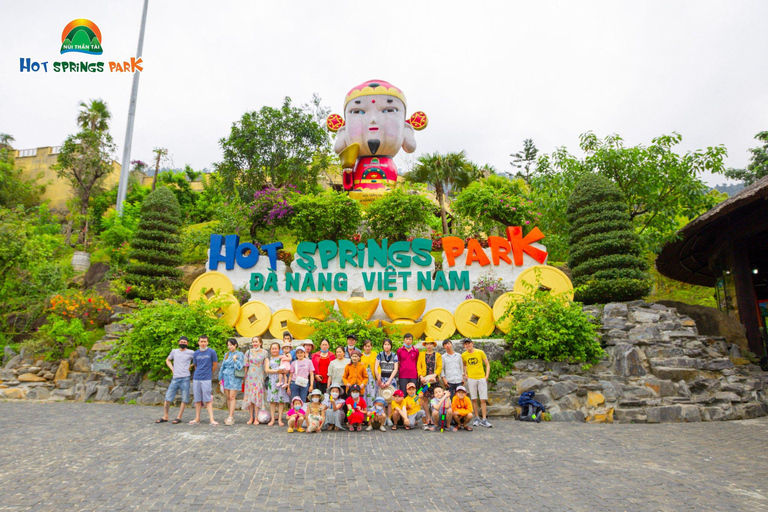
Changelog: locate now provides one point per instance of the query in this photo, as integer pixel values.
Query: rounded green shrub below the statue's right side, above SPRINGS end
(395, 215)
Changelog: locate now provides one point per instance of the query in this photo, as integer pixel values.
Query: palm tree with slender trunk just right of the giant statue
(446, 173)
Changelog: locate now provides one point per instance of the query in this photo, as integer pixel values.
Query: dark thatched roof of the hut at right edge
(688, 258)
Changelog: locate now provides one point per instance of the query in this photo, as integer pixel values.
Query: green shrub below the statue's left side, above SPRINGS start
(327, 216)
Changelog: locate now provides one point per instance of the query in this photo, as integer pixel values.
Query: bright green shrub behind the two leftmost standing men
(156, 330)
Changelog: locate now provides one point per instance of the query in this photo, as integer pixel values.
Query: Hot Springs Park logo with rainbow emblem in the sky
(80, 36)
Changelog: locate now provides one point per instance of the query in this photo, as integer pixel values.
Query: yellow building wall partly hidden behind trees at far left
(37, 162)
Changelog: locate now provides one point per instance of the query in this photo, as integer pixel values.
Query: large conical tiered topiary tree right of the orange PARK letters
(605, 255)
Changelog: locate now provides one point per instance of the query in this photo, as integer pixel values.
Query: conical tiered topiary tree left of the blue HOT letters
(156, 248)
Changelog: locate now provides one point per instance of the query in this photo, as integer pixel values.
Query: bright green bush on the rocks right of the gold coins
(552, 328)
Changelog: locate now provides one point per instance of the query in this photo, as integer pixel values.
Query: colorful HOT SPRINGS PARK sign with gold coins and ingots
(361, 275)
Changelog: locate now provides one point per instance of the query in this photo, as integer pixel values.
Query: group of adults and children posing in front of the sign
(348, 389)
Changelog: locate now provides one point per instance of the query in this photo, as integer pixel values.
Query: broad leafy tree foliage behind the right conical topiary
(658, 185)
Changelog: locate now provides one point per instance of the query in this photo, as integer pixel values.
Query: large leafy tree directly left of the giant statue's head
(277, 146)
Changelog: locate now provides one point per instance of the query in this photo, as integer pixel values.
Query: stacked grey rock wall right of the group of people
(658, 369)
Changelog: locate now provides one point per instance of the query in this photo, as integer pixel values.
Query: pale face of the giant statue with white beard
(377, 123)
